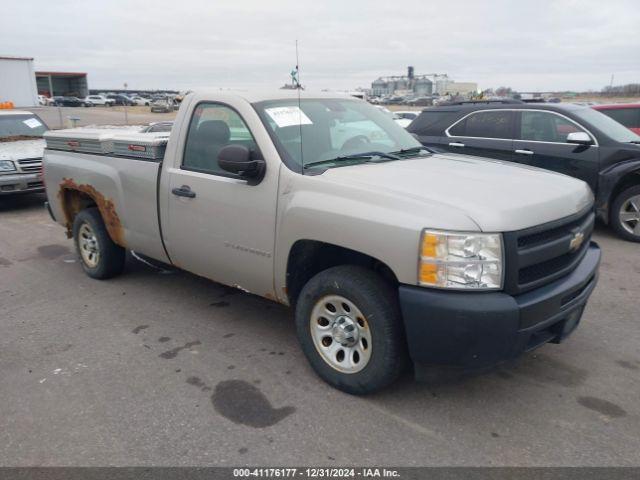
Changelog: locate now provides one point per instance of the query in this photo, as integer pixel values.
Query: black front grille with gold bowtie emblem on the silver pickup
(539, 255)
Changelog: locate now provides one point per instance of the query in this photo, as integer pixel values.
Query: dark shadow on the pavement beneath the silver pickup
(536, 369)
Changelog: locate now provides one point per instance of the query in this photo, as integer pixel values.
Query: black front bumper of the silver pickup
(476, 330)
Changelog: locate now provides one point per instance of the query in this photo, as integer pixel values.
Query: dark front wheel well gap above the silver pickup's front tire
(309, 257)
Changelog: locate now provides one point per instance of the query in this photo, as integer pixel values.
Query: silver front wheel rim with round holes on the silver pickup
(345, 349)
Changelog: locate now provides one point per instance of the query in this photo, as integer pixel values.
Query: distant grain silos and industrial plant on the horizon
(420, 85)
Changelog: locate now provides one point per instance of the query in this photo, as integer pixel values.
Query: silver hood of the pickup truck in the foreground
(498, 196)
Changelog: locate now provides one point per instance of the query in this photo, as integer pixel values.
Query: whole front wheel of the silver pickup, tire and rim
(349, 325)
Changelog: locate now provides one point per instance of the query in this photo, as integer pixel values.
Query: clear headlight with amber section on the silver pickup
(460, 260)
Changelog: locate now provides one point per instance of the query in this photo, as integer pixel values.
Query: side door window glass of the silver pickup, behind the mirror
(212, 127)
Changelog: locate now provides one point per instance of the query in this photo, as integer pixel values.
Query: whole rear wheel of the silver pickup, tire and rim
(99, 256)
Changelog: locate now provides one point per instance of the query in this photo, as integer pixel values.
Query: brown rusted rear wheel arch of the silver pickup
(73, 198)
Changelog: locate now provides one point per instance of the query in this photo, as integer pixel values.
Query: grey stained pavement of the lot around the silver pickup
(165, 368)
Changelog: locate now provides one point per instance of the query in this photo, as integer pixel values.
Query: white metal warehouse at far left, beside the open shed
(18, 81)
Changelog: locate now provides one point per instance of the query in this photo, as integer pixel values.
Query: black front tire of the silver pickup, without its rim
(377, 301)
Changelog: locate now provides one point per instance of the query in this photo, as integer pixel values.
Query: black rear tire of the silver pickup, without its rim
(111, 257)
